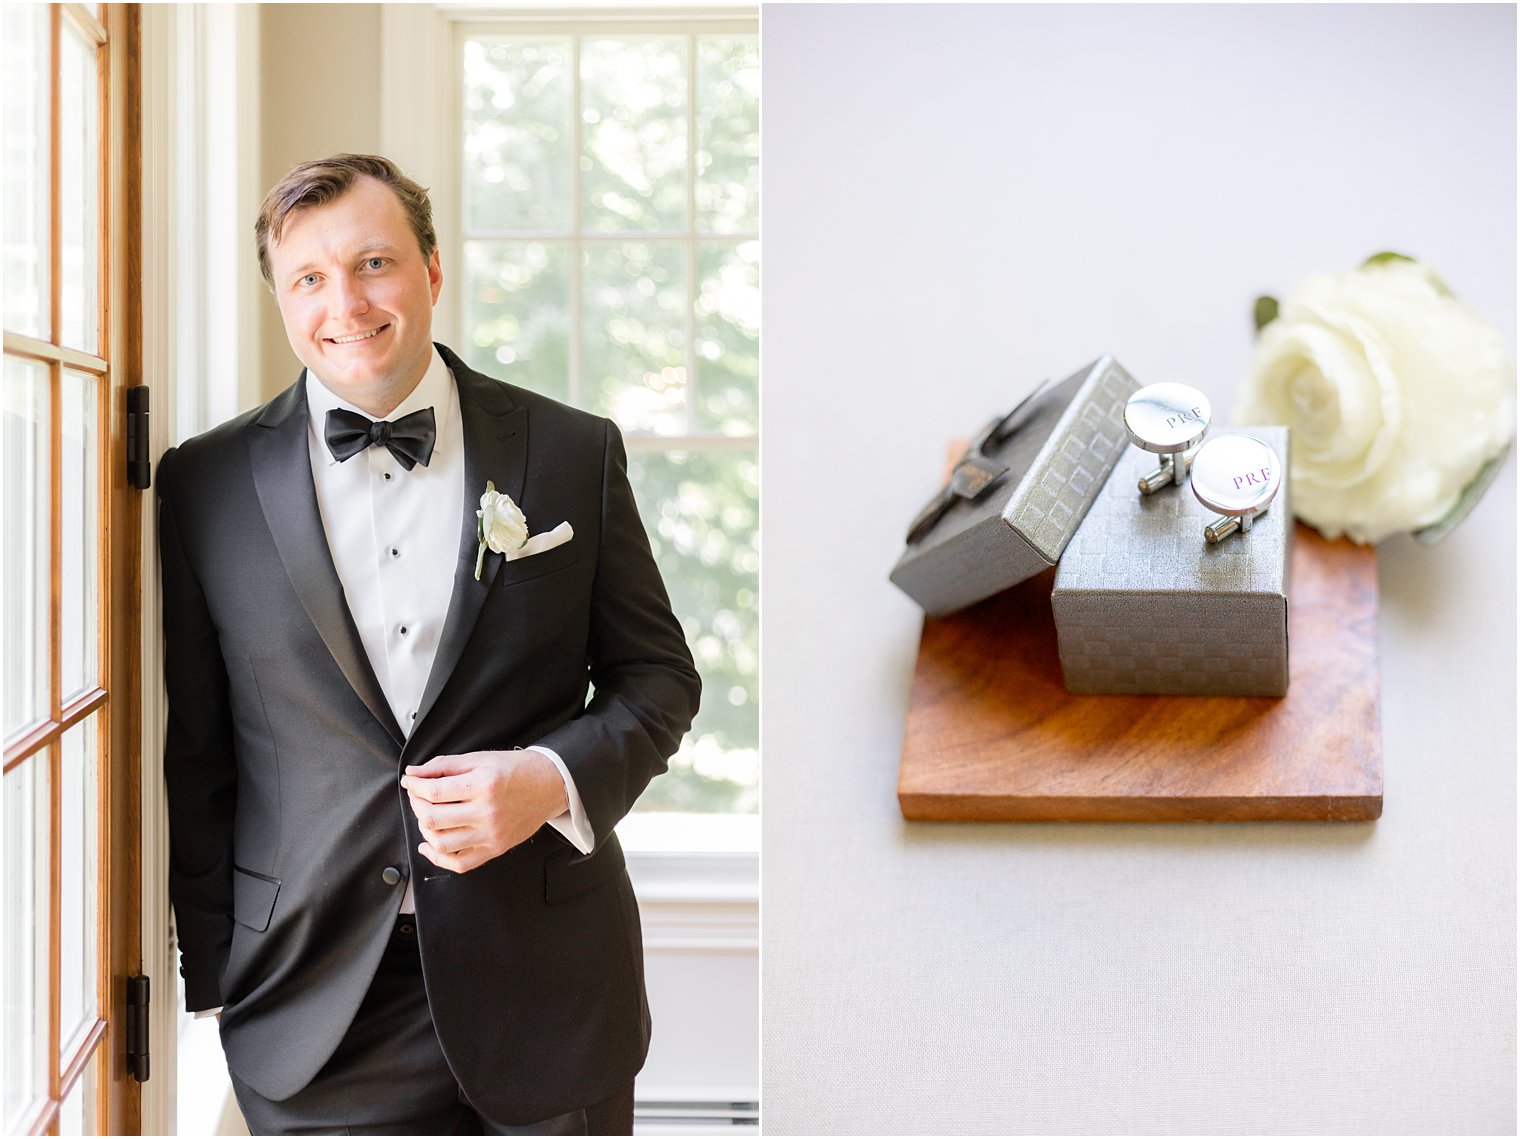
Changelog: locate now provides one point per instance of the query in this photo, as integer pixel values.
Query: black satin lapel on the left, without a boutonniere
(282, 468)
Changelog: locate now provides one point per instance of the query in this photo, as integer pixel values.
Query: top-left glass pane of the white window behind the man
(519, 135)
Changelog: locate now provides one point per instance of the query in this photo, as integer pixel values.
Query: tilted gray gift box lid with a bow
(1057, 460)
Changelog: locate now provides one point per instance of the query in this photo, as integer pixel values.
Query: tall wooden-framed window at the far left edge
(69, 522)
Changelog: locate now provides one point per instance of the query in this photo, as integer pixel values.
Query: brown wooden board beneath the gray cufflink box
(993, 735)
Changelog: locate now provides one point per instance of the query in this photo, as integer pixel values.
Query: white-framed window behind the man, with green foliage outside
(609, 206)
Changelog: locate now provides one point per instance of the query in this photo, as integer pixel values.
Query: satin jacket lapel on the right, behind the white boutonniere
(496, 451)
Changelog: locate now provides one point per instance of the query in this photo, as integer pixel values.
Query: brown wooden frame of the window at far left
(116, 694)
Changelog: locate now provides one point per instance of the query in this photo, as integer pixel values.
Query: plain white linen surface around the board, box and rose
(961, 201)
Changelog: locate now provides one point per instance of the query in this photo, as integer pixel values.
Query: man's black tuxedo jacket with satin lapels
(283, 758)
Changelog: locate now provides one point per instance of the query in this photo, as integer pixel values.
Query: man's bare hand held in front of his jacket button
(477, 807)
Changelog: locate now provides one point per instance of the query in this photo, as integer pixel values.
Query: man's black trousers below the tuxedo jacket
(390, 1076)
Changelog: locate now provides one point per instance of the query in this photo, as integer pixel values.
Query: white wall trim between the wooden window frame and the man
(201, 355)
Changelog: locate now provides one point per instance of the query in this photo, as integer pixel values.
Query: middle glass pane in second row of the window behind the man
(633, 346)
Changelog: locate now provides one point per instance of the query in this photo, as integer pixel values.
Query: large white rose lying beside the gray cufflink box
(1401, 399)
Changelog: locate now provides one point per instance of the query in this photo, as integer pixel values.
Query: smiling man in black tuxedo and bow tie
(391, 804)
